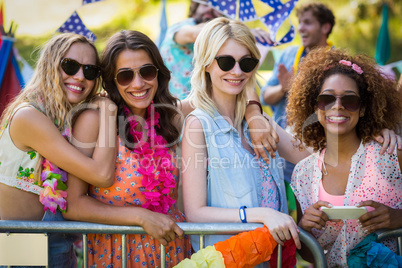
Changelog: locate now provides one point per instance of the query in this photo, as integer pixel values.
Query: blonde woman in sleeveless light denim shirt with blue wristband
(223, 180)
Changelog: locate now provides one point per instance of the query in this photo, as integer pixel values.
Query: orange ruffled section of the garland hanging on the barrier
(247, 249)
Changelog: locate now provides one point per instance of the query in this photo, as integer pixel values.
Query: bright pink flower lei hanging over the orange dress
(155, 165)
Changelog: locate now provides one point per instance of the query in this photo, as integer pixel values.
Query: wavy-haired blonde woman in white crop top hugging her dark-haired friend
(35, 128)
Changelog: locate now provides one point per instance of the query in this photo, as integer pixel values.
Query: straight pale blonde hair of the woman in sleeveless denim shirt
(209, 41)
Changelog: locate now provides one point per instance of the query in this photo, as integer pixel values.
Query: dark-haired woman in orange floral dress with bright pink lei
(145, 189)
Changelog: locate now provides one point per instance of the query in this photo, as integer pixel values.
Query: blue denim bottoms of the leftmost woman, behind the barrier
(61, 251)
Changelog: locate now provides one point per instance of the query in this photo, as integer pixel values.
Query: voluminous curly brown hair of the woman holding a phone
(378, 96)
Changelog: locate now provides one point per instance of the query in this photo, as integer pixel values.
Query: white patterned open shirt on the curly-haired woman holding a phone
(372, 176)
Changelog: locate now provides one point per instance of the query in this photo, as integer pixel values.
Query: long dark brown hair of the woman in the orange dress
(135, 40)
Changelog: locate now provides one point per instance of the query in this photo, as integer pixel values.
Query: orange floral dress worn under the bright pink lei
(143, 250)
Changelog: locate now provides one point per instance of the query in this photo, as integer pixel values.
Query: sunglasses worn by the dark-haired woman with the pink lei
(125, 76)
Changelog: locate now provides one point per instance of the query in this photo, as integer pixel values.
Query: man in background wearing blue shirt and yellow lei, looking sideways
(315, 25)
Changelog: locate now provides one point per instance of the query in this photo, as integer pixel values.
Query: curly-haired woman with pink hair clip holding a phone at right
(337, 103)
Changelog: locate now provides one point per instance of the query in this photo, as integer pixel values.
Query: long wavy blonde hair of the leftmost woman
(45, 90)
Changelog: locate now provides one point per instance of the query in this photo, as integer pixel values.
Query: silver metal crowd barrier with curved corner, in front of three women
(200, 229)
